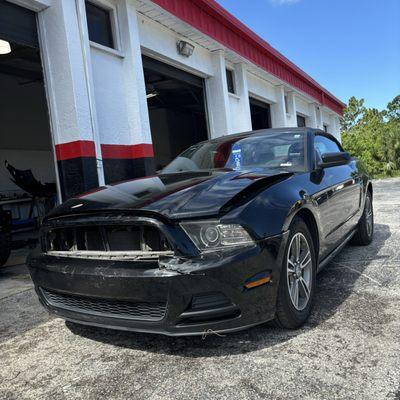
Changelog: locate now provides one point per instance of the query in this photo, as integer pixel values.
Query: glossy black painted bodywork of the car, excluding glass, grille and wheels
(264, 202)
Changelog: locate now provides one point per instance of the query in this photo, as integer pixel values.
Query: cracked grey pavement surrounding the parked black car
(349, 349)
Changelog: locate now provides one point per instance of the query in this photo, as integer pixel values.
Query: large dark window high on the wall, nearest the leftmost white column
(99, 25)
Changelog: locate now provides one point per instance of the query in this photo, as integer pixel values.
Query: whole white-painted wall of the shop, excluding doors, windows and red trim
(99, 95)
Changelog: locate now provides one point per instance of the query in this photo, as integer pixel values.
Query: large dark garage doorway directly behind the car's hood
(176, 109)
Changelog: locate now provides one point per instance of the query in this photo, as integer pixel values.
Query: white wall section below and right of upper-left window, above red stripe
(118, 81)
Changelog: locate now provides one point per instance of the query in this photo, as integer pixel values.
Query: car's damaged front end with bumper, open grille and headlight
(149, 274)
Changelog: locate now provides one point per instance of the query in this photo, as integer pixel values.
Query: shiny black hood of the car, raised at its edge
(179, 195)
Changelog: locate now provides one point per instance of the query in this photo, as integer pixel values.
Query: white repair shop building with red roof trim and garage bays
(99, 91)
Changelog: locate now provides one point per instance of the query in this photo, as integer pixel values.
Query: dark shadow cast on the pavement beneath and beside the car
(328, 298)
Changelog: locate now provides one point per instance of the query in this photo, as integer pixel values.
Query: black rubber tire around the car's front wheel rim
(287, 316)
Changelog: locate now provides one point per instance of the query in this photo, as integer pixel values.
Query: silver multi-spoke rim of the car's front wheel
(299, 271)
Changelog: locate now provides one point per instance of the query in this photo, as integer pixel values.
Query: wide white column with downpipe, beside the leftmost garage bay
(66, 73)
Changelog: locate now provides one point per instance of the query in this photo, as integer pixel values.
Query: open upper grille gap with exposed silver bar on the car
(107, 241)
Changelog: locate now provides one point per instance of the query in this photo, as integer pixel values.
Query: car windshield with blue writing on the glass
(279, 150)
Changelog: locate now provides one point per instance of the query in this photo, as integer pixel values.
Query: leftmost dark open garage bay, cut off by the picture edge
(27, 167)
